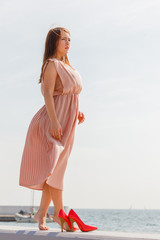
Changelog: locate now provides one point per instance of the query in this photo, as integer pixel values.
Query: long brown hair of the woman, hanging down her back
(51, 42)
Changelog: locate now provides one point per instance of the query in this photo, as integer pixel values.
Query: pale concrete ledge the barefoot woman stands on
(28, 233)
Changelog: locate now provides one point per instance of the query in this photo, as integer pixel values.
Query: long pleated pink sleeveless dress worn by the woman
(45, 158)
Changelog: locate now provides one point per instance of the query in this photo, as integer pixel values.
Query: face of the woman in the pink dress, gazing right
(63, 43)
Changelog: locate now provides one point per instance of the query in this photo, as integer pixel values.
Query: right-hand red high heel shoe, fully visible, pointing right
(83, 227)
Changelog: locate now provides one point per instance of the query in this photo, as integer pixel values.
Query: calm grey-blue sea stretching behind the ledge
(119, 220)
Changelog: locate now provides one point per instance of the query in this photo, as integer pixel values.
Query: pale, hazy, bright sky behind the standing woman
(115, 159)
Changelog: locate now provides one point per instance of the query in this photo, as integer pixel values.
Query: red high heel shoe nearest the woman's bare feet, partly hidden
(64, 218)
